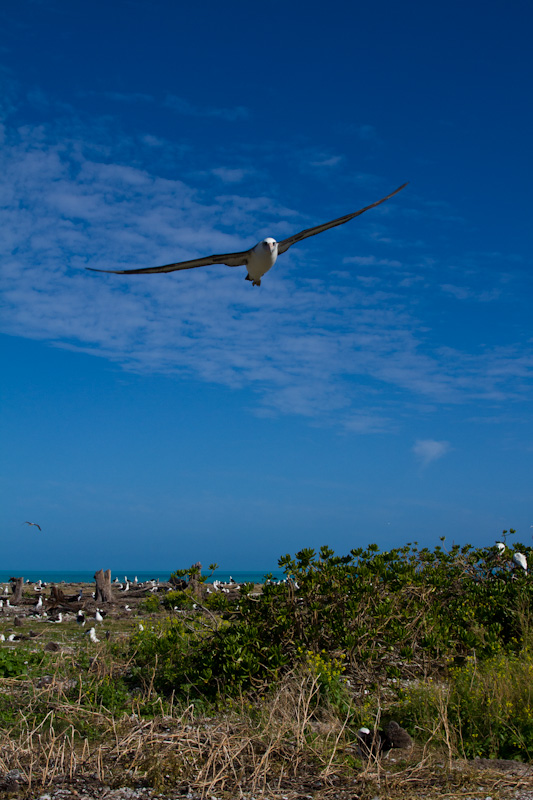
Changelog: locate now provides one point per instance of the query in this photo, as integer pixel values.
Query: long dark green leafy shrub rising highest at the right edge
(402, 613)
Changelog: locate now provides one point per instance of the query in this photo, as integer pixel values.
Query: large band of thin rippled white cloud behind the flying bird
(320, 347)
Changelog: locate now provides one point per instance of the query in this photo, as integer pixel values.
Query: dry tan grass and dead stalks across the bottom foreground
(277, 746)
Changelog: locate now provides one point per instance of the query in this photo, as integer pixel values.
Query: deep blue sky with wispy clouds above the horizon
(375, 388)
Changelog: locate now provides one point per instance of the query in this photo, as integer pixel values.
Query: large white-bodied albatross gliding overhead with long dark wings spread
(258, 259)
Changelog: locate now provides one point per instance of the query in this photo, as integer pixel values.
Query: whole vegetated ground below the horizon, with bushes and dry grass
(260, 691)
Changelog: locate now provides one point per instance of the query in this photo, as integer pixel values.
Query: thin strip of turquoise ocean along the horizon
(87, 576)
